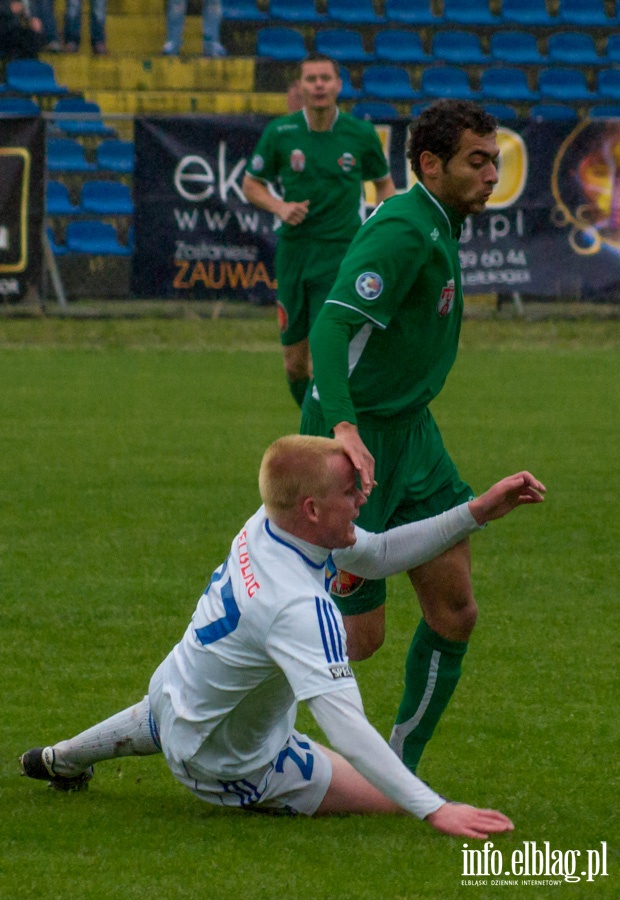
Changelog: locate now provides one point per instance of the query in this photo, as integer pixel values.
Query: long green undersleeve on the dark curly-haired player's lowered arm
(331, 334)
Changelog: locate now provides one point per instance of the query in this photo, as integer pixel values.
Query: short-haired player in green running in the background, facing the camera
(318, 159)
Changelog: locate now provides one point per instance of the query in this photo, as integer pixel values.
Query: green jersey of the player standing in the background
(325, 167)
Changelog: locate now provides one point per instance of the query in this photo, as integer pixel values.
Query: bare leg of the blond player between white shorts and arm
(349, 792)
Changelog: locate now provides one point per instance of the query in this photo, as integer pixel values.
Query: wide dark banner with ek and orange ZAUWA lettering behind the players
(551, 228)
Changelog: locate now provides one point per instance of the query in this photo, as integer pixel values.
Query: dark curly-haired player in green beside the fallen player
(382, 348)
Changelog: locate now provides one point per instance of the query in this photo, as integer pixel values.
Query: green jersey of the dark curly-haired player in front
(391, 322)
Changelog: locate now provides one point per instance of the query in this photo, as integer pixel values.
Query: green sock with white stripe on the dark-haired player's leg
(432, 671)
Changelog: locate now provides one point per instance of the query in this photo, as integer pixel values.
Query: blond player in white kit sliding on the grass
(266, 635)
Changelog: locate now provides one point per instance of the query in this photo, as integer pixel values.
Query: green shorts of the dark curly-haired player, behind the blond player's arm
(415, 479)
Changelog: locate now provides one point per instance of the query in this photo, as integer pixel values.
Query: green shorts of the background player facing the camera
(306, 272)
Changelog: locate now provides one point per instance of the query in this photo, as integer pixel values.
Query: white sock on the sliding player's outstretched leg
(132, 732)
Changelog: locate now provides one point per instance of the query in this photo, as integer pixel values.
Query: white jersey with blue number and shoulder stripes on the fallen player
(265, 634)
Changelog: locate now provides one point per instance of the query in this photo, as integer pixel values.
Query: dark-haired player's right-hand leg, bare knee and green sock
(434, 660)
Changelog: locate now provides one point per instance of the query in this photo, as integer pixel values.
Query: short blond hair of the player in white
(295, 466)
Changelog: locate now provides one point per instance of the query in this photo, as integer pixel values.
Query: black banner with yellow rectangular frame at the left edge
(22, 185)
